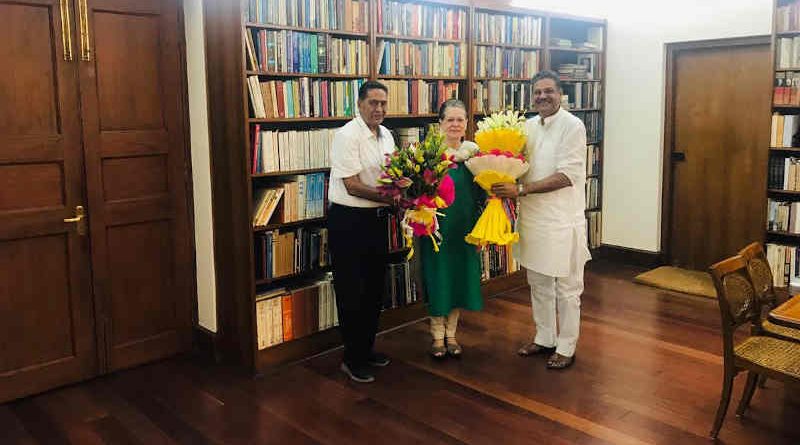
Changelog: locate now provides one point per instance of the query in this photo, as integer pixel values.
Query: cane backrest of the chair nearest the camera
(737, 299)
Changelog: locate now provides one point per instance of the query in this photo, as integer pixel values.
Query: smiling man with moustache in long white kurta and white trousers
(551, 223)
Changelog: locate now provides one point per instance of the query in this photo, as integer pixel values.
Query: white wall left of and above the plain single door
(637, 34)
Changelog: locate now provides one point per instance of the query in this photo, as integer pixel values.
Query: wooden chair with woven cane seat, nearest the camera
(758, 354)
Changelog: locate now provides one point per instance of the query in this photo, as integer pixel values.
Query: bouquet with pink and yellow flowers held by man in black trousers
(417, 174)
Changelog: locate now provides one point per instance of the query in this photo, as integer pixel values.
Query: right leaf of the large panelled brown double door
(137, 178)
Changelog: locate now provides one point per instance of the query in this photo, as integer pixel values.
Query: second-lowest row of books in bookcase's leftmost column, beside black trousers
(281, 253)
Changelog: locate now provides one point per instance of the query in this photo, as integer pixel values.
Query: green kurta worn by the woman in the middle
(453, 275)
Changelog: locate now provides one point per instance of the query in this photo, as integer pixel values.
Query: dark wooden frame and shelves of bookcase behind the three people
(232, 125)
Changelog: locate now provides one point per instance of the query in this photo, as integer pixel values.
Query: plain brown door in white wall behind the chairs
(720, 95)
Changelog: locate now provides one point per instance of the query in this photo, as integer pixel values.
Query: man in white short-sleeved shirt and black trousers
(357, 229)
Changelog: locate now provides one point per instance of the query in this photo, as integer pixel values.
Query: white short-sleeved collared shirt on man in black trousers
(357, 151)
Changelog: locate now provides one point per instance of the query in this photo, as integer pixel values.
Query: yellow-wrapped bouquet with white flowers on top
(501, 138)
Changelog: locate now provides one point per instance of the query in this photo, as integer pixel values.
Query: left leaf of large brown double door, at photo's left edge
(46, 323)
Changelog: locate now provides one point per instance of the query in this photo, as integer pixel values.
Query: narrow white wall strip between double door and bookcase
(201, 166)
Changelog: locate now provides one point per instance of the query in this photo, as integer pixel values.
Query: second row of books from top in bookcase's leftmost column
(300, 52)
